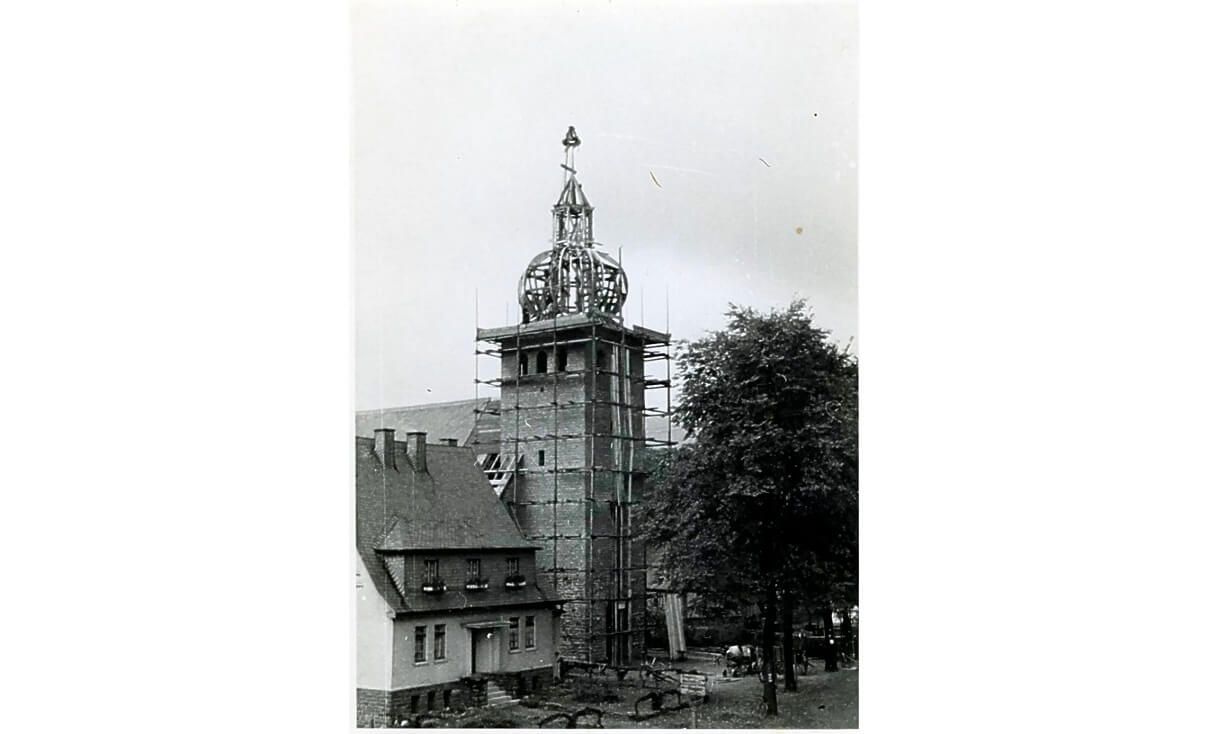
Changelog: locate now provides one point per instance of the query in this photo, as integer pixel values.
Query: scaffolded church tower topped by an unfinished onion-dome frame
(573, 413)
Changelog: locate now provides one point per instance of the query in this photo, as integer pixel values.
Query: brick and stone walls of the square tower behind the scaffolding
(578, 568)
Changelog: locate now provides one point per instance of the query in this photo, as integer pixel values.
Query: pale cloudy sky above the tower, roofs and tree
(719, 152)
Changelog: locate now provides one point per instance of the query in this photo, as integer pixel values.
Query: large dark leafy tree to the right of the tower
(762, 501)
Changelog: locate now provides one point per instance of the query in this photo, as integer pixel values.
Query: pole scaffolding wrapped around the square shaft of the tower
(606, 406)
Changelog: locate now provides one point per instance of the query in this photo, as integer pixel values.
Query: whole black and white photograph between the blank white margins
(607, 366)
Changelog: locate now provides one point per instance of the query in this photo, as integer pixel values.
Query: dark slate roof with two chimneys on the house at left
(450, 507)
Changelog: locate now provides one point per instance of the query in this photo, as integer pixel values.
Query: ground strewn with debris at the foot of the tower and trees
(825, 701)
